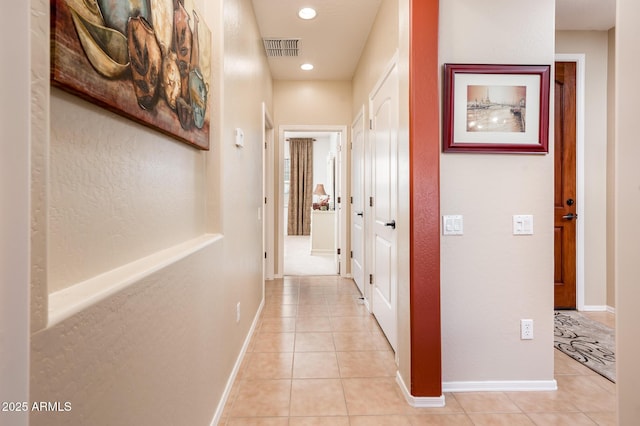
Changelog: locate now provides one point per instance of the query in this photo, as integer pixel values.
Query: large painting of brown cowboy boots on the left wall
(147, 60)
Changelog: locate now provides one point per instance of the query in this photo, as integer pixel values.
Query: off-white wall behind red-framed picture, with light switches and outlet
(490, 278)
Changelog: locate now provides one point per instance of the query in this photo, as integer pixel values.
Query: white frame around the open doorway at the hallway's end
(343, 191)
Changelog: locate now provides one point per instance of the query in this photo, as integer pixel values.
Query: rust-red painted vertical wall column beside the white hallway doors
(424, 134)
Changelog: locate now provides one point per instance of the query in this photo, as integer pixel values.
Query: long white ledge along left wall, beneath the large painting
(67, 302)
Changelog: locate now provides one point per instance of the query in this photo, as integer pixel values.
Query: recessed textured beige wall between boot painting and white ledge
(118, 191)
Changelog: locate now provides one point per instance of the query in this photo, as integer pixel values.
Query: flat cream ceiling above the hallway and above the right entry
(334, 39)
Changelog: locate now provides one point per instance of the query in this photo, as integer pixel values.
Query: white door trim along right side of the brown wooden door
(579, 59)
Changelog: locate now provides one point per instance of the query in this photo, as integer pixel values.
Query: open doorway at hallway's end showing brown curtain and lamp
(311, 221)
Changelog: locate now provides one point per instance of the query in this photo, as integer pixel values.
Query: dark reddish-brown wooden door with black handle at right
(565, 187)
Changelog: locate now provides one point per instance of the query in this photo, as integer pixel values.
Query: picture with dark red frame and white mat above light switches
(496, 108)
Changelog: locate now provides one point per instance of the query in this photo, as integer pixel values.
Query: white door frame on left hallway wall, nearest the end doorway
(268, 194)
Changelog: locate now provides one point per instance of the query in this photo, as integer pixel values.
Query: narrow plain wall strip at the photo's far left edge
(14, 214)
